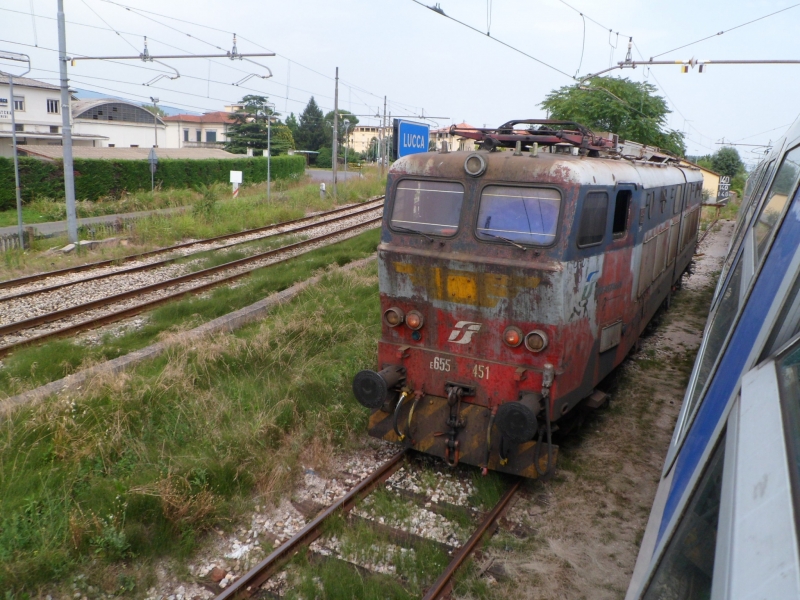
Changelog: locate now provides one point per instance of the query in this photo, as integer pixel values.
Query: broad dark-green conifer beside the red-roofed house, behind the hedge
(250, 129)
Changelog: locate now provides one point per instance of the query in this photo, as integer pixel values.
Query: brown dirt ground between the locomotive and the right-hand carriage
(578, 535)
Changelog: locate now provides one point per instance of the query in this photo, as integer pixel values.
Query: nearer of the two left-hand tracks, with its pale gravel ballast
(46, 316)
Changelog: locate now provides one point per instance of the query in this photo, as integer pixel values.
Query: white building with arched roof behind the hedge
(118, 123)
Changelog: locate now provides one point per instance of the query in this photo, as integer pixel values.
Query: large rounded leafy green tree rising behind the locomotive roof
(630, 109)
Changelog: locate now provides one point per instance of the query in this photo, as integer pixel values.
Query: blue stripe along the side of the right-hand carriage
(729, 371)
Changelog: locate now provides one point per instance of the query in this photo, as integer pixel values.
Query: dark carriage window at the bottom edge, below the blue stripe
(686, 568)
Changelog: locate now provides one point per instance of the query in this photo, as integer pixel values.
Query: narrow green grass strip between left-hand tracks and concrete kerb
(35, 366)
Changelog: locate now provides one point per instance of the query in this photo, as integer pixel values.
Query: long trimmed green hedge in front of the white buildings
(98, 178)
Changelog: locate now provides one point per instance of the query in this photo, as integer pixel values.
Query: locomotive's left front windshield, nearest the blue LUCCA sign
(427, 207)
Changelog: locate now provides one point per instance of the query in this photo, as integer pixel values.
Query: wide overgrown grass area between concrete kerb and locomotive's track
(140, 465)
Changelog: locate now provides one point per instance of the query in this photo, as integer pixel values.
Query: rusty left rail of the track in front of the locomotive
(247, 584)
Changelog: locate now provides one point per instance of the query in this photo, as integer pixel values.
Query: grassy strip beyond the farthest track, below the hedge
(200, 214)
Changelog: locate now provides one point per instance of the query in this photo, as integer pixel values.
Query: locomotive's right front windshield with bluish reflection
(517, 214)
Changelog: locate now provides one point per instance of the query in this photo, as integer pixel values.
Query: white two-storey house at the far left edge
(37, 112)
